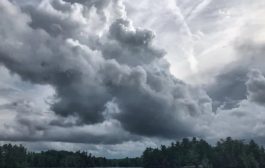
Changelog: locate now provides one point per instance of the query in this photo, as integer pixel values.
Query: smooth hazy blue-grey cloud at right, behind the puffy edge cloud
(230, 86)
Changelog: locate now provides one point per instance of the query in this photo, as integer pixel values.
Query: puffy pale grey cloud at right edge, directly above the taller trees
(246, 120)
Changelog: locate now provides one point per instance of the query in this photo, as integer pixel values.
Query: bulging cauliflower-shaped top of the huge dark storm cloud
(131, 47)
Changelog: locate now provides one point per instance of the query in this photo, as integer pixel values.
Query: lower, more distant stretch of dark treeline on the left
(13, 156)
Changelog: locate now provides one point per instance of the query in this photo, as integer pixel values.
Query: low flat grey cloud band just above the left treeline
(31, 130)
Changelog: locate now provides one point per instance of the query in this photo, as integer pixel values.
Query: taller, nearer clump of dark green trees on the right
(196, 153)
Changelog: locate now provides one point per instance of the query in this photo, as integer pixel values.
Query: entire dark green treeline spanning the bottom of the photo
(194, 152)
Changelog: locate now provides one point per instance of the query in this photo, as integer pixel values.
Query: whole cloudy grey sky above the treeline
(113, 77)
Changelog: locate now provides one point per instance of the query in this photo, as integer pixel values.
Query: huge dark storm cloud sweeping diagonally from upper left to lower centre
(130, 72)
